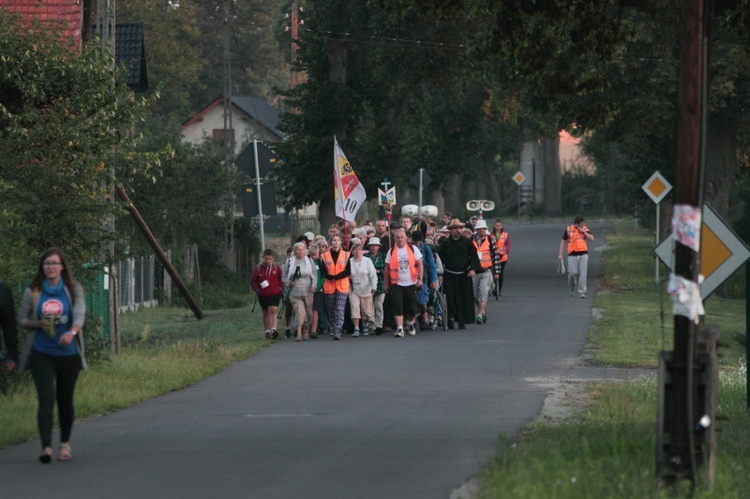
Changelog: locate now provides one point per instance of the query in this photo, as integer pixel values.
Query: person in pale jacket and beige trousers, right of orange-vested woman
(364, 282)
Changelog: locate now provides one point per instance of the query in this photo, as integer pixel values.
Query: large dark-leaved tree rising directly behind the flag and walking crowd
(393, 91)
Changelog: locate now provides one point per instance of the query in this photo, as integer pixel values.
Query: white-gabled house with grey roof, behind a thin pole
(252, 118)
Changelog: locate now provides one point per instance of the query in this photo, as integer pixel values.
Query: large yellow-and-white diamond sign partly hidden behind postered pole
(722, 252)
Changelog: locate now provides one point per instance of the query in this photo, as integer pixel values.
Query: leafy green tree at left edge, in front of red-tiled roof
(61, 136)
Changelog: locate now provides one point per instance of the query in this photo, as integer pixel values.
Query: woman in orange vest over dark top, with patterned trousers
(336, 270)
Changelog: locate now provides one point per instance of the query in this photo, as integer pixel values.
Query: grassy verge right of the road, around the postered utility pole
(608, 449)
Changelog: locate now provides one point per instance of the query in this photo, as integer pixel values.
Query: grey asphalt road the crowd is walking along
(369, 417)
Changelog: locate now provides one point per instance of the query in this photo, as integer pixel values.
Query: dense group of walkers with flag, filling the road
(381, 278)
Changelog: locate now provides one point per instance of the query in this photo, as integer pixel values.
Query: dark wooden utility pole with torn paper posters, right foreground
(683, 406)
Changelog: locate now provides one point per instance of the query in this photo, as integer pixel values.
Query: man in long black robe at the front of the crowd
(459, 261)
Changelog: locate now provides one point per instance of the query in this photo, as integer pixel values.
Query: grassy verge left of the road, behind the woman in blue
(165, 349)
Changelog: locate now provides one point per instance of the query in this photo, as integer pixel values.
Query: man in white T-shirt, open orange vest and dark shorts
(404, 264)
